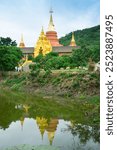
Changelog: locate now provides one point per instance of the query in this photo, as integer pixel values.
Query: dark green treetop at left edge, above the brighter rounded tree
(7, 42)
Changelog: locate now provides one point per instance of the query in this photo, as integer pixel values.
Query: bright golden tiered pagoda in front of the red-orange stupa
(43, 45)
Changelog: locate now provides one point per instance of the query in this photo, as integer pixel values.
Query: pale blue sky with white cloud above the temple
(28, 16)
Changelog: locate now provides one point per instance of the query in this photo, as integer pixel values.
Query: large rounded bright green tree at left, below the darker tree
(9, 57)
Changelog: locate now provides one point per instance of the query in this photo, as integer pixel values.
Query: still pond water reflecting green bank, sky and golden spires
(35, 120)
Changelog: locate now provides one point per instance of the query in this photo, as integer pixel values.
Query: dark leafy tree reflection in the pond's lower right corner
(85, 132)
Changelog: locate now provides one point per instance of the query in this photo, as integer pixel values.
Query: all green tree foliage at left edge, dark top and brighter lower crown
(10, 55)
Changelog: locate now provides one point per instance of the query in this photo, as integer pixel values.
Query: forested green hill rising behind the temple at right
(89, 37)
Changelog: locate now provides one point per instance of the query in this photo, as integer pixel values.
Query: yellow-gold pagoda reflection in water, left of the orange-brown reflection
(42, 124)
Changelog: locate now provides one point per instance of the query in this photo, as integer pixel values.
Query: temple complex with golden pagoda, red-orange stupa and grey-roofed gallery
(48, 42)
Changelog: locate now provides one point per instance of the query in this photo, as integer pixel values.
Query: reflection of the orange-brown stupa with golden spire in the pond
(51, 129)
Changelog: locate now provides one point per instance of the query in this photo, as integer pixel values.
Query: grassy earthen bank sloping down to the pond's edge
(70, 83)
